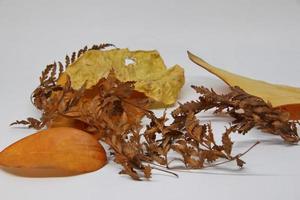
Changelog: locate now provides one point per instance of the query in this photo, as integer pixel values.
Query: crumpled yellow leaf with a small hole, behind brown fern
(146, 69)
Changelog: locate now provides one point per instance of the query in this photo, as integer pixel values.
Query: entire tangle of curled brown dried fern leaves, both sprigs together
(112, 111)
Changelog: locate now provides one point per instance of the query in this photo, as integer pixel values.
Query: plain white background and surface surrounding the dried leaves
(255, 38)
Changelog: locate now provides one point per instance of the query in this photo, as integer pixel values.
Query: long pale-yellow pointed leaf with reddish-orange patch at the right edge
(282, 96)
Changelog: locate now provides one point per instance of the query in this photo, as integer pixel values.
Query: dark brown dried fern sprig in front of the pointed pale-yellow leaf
(247, 110)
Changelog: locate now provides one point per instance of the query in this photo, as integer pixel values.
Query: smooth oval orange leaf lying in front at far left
(54, 152)
